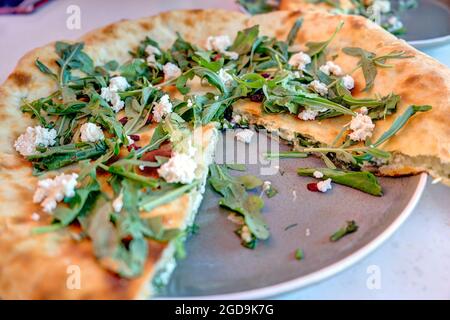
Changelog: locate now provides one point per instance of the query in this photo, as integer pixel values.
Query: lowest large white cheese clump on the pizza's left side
(50, 191)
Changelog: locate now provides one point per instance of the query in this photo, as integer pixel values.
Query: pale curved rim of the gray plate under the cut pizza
(326, 272)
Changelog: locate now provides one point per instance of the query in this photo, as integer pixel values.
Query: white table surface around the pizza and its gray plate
(413, 264)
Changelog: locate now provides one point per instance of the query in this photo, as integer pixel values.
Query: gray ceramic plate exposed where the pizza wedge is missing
(217, 266)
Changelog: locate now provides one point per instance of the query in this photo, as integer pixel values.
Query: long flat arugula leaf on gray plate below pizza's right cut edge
(363, 180)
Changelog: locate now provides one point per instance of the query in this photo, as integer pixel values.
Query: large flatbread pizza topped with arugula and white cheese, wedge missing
(107, 141)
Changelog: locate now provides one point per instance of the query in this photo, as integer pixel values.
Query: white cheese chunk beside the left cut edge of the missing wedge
(179, 169)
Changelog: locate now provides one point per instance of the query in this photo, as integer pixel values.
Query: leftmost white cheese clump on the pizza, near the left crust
(27, 142)
